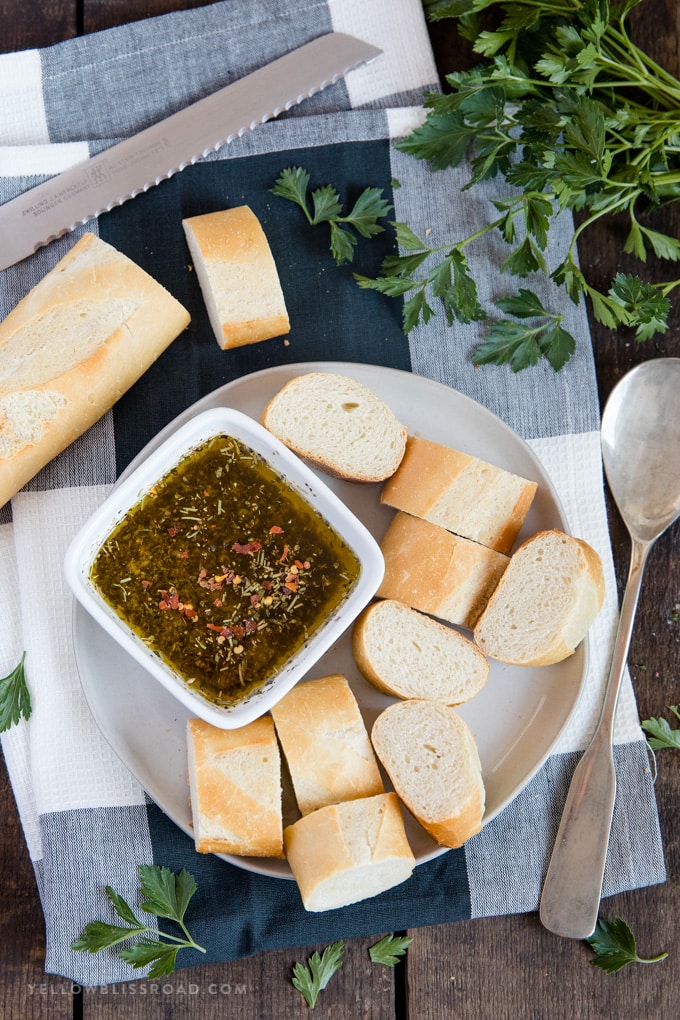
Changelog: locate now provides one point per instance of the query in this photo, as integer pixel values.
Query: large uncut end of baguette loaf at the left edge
(71, 348)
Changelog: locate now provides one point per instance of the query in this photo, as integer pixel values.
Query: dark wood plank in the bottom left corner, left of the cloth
(25, 990)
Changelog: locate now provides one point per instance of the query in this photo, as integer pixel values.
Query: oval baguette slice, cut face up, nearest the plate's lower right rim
(431, 755)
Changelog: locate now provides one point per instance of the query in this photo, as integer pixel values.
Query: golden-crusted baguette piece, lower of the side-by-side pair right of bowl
(431, 570)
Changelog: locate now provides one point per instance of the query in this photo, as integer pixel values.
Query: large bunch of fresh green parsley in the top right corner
(574, 116)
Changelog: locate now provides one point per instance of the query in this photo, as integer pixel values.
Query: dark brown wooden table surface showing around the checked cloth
(499, 968)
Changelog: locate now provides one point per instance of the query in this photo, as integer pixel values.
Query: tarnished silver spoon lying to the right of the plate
(641, 441)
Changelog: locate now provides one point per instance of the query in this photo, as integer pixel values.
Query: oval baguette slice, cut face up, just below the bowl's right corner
(407, 655)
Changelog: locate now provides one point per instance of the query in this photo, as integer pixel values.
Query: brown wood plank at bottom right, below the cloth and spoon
(505, 968)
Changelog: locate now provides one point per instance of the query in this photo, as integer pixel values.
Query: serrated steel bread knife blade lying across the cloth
(130, 168)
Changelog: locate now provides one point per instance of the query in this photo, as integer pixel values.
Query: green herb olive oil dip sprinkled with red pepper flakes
(225, 571)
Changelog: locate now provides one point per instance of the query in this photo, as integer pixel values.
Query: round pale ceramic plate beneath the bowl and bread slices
(516, 720)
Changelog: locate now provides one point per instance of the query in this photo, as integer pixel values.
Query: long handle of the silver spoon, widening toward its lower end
(572, 890)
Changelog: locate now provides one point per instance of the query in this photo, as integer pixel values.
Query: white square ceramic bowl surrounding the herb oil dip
(85, 547)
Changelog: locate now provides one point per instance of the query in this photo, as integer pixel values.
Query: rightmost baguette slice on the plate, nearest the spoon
(545, 603)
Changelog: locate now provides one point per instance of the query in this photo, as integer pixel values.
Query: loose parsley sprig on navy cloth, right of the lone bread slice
(293, 184)
